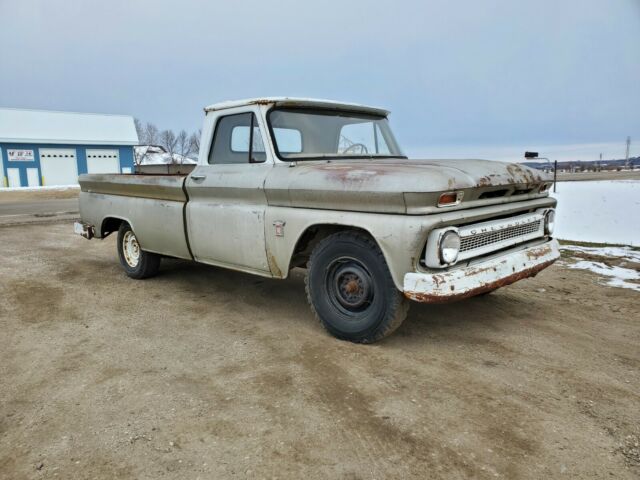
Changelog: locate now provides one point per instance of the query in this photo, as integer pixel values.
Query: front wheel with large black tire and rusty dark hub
(350, 289)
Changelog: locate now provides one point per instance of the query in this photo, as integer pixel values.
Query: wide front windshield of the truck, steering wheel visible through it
(311, 134)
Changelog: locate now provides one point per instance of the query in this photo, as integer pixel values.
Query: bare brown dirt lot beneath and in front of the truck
(206, 373)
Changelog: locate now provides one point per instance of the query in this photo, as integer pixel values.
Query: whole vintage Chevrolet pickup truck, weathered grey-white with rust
(283, 183)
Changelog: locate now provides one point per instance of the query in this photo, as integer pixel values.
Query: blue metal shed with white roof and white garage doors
(47, 148)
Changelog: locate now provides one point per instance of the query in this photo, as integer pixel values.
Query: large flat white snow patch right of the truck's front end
(605, 211)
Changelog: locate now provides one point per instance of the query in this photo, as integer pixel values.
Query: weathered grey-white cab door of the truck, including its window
(227, 203)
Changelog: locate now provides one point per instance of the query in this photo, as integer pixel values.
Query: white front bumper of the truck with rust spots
(482, 277)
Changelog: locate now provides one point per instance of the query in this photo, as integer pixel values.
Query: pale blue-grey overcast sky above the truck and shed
(462, 78)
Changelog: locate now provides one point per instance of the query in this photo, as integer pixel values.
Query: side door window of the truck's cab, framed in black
(237, 139)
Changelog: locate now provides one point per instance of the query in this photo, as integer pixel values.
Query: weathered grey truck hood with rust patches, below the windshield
(394, 186)
